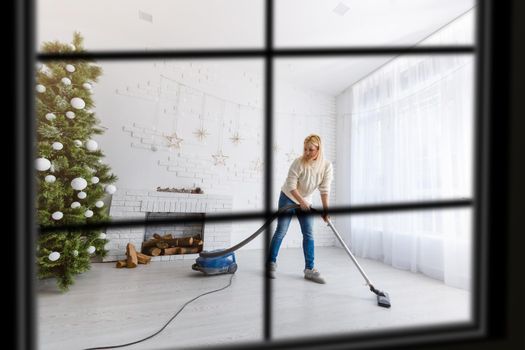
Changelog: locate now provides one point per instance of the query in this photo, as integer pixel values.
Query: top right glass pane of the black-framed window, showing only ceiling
(347, 23)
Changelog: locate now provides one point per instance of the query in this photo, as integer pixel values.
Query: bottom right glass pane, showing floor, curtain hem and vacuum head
(422, 260)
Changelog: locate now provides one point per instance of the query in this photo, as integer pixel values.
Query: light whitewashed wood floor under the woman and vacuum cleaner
(109, 306)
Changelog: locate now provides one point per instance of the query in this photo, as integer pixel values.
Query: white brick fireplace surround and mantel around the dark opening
(137, 204)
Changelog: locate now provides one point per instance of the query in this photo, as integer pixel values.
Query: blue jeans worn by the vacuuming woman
(306, 222)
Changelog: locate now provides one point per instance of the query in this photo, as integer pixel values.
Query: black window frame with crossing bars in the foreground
(489, 281)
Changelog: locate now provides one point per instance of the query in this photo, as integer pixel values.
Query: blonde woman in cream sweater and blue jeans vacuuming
(307, 173)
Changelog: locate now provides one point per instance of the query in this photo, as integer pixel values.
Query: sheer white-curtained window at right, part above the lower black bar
(411, 131)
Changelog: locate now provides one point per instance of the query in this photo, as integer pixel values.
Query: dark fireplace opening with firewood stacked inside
(173, 239)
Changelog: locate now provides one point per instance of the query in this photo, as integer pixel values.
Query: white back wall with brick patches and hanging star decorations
(129, 107)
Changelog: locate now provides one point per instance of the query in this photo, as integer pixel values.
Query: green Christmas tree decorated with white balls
(71, 178)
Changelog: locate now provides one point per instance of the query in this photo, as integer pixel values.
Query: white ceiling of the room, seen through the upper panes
(116, 25)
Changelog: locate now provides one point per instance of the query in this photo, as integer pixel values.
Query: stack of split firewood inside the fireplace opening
(167, 245)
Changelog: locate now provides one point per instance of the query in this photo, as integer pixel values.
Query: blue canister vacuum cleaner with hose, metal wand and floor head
(222, 261)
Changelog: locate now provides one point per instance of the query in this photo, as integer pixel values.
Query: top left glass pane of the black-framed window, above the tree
(153, 25)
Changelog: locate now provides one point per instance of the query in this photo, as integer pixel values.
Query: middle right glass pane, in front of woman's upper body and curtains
(393, 128)
